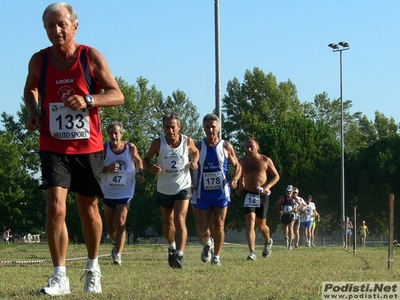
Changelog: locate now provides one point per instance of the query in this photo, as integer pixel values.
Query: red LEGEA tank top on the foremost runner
(63, 130)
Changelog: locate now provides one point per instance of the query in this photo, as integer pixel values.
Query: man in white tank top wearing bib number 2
(172, 151)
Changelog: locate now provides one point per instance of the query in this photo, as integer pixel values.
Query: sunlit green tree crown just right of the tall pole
(258, 100)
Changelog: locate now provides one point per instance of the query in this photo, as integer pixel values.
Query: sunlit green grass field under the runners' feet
(145, 273)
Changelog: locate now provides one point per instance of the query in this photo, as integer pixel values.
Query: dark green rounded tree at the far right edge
(372, 174)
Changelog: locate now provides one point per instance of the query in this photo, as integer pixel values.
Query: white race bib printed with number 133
(66, 124)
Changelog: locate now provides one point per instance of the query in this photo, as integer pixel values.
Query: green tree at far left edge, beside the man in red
(21, 201)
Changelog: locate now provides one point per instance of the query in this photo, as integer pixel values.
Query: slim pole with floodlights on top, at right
(340, 48)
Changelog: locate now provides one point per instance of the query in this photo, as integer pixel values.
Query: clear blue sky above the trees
(171, 43)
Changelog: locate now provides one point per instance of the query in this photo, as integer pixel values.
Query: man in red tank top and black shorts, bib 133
(67, 85)
